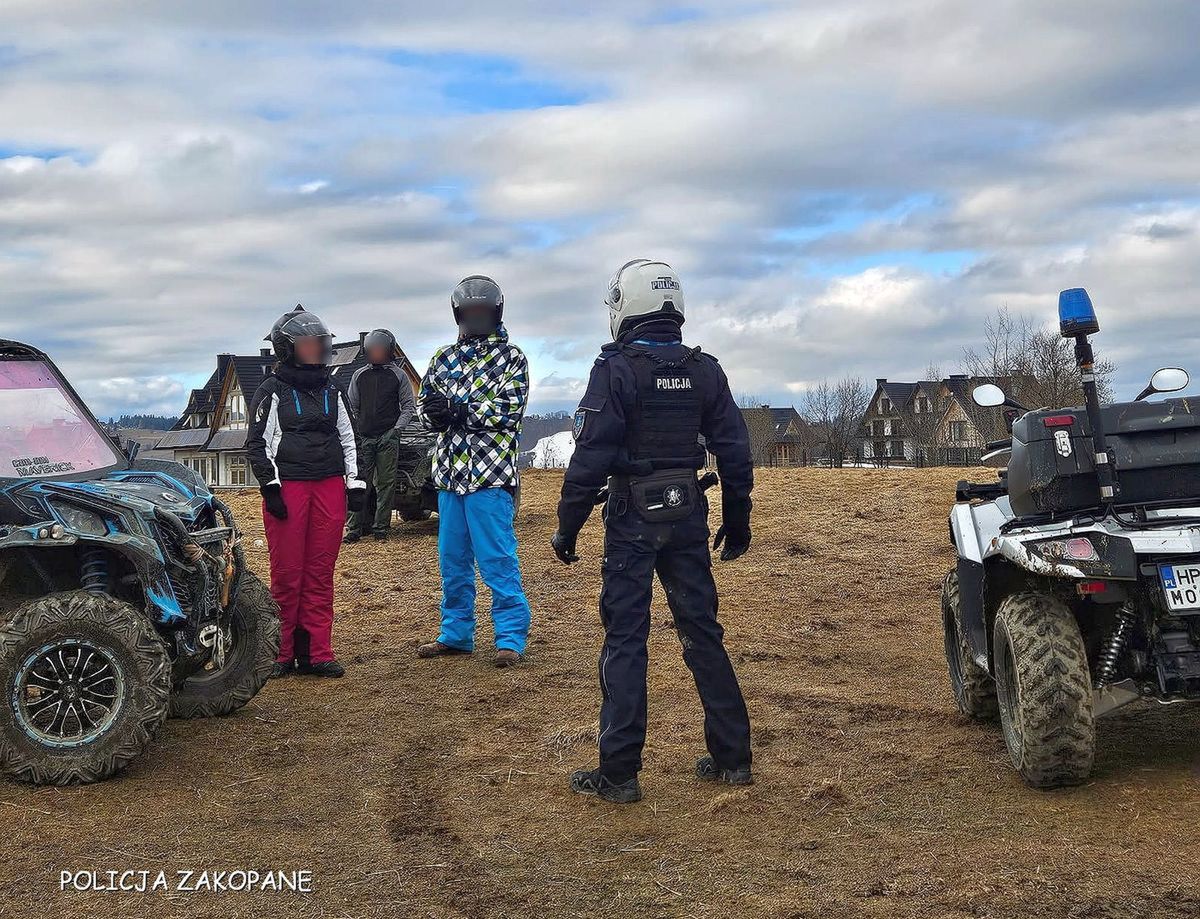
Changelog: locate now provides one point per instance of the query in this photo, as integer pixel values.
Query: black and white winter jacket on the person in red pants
(301, 429)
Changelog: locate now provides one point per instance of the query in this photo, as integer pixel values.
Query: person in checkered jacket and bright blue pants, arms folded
(475, 395)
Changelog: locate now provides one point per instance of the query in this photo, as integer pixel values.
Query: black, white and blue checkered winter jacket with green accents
(493, 379)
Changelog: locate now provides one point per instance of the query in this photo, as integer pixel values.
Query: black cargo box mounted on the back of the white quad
(1156, 447)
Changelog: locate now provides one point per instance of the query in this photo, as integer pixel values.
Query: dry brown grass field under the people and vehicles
(439, 789)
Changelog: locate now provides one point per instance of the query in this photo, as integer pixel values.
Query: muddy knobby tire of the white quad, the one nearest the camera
(1045, 689)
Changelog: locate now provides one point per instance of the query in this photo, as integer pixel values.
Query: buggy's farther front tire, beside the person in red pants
(255, 633)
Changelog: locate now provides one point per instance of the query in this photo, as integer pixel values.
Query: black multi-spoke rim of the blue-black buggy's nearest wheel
(68, 693)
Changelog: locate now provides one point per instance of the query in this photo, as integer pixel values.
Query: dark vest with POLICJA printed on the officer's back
(664, 425)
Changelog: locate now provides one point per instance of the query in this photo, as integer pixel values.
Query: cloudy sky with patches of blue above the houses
(845, 187)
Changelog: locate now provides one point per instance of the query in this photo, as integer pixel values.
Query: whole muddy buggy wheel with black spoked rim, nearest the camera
(86, 682)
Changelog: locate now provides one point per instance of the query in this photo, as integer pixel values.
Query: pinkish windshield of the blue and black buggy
(44, 431)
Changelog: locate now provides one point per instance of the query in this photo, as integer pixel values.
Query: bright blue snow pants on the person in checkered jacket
(478, 528)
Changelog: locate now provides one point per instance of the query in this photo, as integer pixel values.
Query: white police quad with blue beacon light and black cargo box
(1077, 590)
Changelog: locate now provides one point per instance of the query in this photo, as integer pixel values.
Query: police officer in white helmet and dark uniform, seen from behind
(649, 401)
